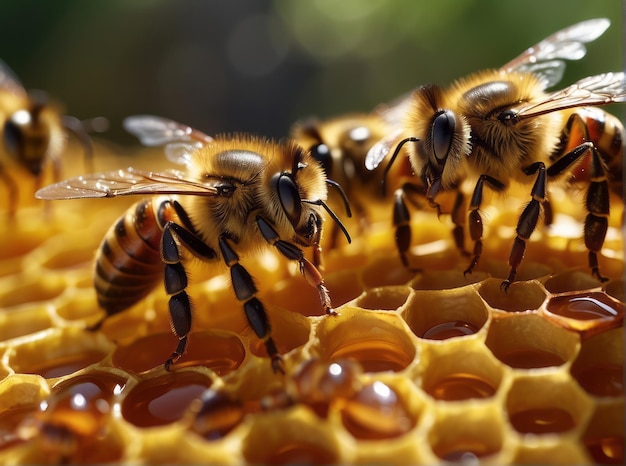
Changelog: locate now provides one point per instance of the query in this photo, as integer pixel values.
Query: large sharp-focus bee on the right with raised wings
(498, 126)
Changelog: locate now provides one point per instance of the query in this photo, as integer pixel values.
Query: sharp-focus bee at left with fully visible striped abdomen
(238, 194)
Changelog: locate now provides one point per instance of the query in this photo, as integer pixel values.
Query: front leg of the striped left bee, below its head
(292, 252)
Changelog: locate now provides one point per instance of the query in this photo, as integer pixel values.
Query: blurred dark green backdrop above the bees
(259, 65)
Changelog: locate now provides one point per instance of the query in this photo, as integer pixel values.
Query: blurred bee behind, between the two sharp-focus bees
(341, 144)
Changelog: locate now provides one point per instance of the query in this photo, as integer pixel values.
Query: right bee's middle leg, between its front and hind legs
(527, 220)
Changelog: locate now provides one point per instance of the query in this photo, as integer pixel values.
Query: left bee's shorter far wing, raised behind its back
(155, 131)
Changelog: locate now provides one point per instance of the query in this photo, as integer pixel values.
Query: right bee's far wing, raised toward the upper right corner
(546, 57)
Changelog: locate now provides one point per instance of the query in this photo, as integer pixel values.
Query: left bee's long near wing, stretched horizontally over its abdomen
(124, 183)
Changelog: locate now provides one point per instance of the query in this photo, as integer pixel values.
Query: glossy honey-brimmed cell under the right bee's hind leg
(587, 313)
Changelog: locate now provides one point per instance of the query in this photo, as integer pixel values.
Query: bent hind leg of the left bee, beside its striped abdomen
(175, 280)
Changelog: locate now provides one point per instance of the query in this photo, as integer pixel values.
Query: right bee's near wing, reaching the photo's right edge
(601, 89)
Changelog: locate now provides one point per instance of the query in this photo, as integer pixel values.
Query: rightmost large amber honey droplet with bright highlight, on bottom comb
(376, 412)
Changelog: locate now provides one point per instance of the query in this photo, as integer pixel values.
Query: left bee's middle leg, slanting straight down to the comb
(245, 291)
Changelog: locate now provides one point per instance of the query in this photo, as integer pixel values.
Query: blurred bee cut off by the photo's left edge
(33, 134)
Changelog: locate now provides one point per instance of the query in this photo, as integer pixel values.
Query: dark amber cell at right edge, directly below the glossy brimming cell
(599, 367)
